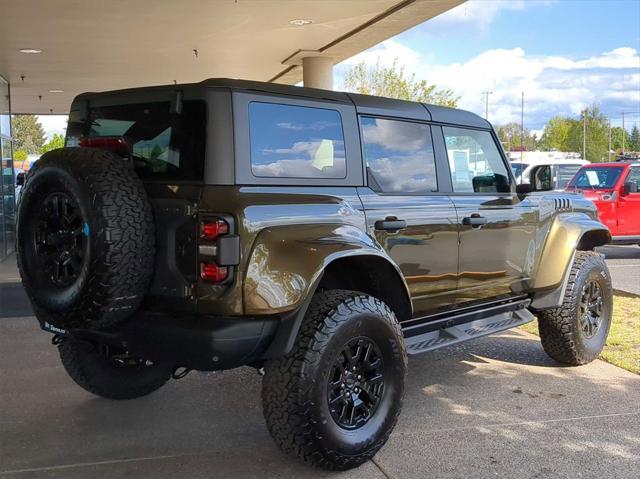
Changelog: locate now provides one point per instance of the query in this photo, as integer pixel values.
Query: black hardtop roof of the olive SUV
(365, 104)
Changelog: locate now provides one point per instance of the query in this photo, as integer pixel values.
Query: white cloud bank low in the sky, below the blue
(552, 84)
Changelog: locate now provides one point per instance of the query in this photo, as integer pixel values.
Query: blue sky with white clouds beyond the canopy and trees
(564, 55)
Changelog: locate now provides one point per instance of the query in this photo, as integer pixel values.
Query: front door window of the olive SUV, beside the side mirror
(475, 162)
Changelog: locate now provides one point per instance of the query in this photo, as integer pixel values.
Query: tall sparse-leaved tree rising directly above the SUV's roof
(394, 82)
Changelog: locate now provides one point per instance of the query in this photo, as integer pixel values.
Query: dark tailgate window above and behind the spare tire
(165, 145)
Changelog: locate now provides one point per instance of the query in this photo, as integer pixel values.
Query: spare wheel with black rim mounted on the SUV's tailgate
(85, 239)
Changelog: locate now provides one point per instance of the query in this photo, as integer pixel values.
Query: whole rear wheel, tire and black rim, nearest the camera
(335, 398)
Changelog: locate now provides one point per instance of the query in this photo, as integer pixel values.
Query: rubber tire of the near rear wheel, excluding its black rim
(295, 387)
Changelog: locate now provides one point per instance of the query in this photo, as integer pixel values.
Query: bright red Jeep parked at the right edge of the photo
(613, 187)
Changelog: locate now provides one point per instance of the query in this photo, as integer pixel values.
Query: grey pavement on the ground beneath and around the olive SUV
(496, 407)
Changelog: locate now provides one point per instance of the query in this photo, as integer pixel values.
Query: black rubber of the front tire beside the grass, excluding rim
(560, 329)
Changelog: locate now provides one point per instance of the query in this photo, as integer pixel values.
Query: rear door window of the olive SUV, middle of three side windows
(399, 156)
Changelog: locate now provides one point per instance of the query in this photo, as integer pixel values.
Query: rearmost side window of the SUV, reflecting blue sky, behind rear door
(290, 141)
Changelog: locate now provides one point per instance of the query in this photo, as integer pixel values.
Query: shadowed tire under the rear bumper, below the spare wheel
(100, 375)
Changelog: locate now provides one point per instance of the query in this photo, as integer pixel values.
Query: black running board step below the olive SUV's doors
(440, 338)
